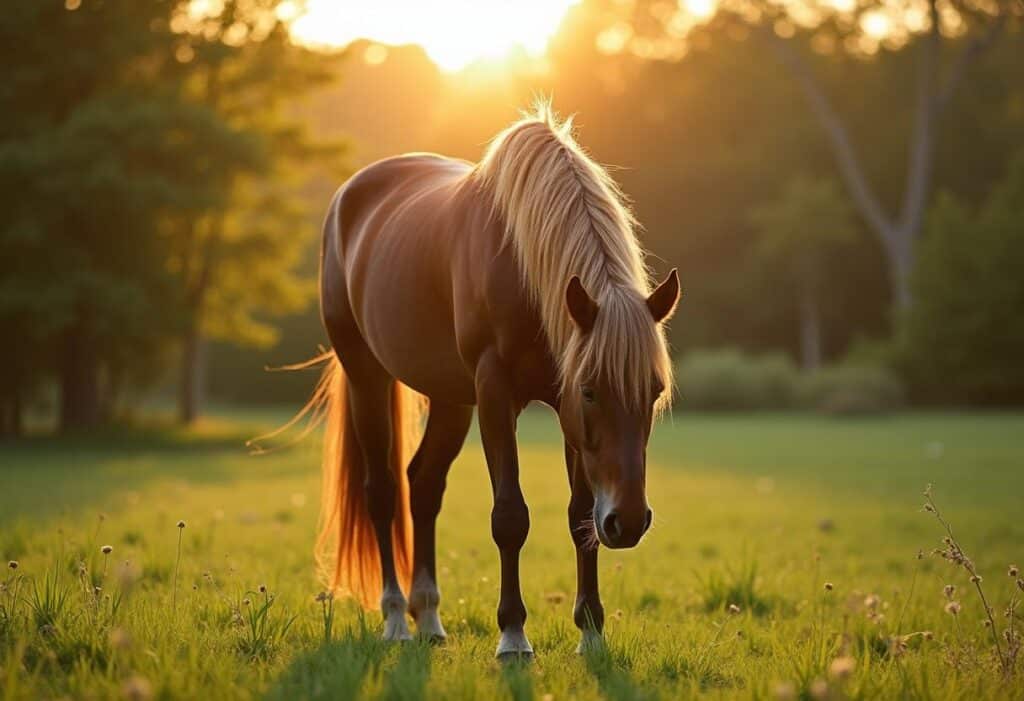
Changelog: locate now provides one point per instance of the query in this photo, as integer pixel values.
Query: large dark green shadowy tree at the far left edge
(90, 161)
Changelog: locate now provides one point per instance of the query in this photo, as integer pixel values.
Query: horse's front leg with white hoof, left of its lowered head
(498, 411)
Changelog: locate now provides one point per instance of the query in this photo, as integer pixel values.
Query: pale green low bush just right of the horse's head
(730, 380)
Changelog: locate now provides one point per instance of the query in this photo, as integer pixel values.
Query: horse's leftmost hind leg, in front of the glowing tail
(370, 403)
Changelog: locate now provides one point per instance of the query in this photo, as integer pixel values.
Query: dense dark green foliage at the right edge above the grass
(965, 337)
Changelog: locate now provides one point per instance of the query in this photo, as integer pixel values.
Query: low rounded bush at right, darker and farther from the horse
(849, 389)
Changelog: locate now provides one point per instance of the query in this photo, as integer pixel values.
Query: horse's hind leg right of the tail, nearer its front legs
(443, 440)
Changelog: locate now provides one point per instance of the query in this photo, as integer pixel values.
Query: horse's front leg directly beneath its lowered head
(588, 614)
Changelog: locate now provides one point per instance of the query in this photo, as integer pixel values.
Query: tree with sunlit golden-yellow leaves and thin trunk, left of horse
(241, 255)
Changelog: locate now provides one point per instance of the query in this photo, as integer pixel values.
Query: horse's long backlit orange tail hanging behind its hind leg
(348, 556)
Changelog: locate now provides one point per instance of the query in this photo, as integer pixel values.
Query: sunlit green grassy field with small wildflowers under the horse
(759, 512)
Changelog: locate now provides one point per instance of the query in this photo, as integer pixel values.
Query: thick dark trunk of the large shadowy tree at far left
(79, 381)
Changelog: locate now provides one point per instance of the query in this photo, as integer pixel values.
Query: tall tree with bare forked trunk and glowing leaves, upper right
(960, 31)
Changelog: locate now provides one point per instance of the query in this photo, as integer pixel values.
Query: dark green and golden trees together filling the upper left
(150, 173)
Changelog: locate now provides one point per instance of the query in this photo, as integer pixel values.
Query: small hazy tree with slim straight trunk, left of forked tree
(798, 234)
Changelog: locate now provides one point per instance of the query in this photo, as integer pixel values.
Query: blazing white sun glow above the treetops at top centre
(454, 33)
